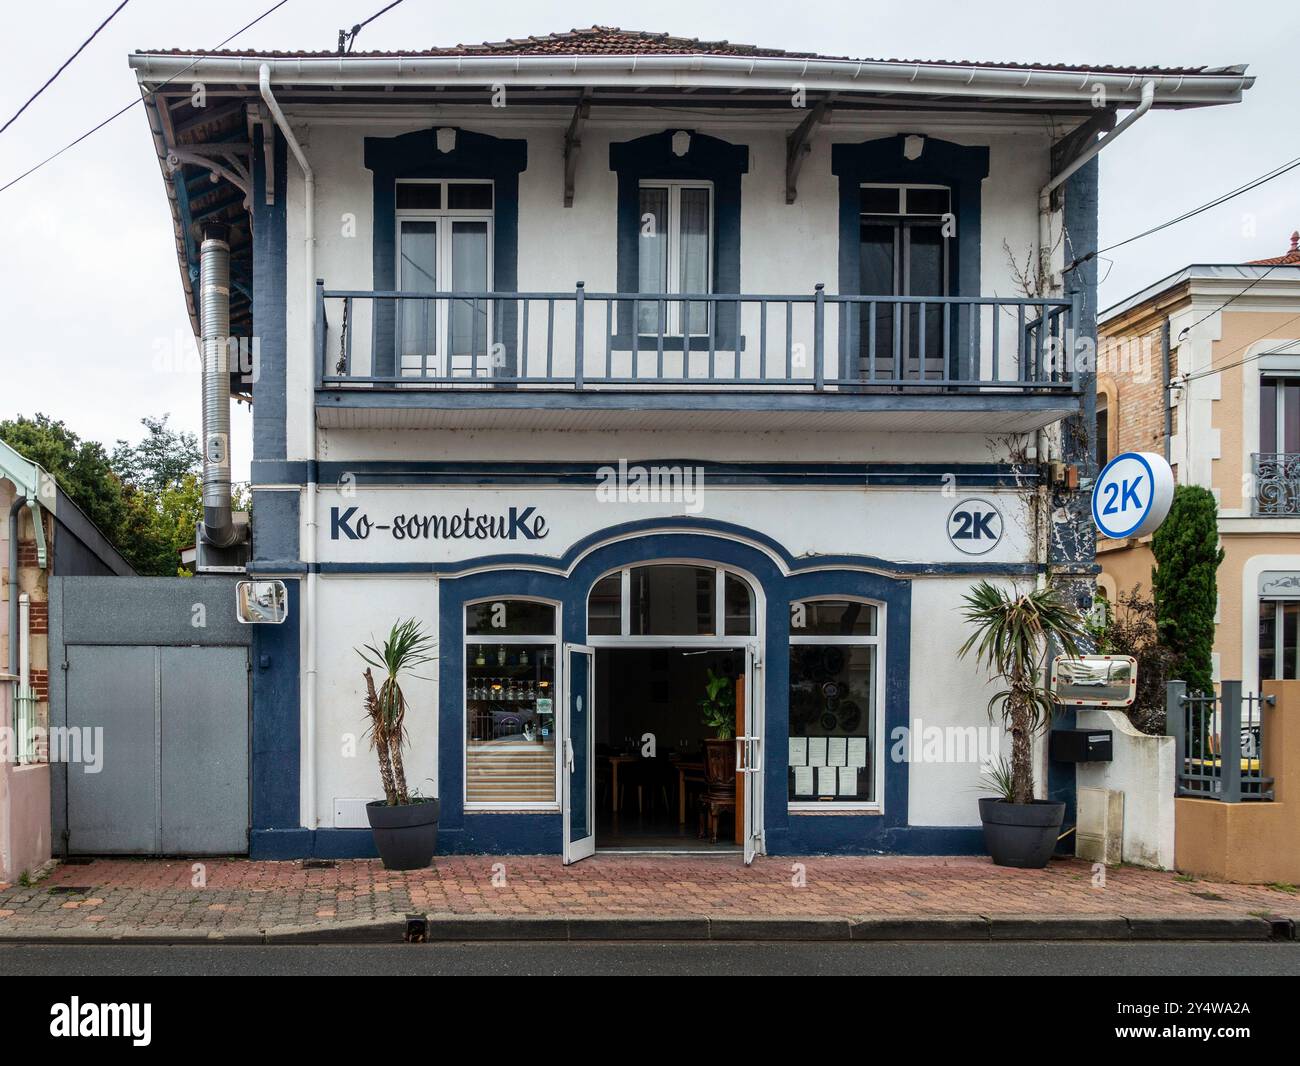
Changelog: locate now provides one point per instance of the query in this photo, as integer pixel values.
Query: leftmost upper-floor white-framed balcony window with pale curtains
(444, 237)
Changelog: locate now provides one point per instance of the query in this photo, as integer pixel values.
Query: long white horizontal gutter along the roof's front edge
(677, 72)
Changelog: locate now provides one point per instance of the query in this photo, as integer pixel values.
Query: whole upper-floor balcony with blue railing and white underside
(601, 361)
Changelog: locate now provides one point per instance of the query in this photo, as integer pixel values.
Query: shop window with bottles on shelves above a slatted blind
(512, 651)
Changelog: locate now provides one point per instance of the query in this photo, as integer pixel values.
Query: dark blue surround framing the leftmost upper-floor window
(415, 155)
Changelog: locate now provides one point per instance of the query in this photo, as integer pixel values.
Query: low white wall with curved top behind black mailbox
(1143, 770)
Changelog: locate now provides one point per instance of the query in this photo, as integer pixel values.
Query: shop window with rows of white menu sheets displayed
(835, 692)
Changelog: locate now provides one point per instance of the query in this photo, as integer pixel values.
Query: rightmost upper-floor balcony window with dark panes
(904, 250)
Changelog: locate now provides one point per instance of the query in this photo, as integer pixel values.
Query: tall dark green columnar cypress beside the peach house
(1186, 586)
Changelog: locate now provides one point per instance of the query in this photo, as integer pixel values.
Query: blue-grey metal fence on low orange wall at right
(1220, 743)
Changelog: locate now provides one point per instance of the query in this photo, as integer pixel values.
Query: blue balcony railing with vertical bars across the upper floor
(579, 340)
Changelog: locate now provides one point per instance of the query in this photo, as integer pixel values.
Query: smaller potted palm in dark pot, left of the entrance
(405, 826)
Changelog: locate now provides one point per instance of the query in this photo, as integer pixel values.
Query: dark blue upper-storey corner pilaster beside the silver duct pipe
(270, 266)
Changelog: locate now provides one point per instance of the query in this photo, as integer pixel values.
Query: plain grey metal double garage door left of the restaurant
(174, 774)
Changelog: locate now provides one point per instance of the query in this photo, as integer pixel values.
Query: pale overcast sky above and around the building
(90, 294)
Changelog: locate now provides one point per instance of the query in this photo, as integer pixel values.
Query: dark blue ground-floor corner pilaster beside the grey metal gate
(276, 721)
